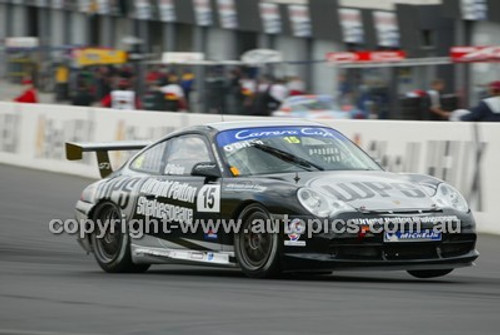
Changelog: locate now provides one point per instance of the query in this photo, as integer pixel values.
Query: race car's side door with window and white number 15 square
(195, 198)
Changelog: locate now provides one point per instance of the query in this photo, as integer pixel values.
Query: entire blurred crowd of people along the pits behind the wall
(237, 91)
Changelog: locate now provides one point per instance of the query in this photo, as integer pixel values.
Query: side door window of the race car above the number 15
(184, 153)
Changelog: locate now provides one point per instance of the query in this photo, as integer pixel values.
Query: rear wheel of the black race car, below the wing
(112, 251)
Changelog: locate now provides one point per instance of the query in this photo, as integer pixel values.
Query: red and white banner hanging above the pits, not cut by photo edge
(366, 56)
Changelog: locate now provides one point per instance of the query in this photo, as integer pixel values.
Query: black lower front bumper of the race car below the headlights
(330, 251)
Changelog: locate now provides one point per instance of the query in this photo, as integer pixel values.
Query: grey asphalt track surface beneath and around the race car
(49, 286)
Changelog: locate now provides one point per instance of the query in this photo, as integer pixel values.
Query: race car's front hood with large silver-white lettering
(369, 190)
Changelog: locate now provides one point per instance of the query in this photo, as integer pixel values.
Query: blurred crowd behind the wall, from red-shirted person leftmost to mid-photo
(237, 91)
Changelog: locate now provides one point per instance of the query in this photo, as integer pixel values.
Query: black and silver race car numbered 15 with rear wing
(268, 197)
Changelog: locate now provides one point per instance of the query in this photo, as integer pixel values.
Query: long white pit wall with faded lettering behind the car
(466, 155)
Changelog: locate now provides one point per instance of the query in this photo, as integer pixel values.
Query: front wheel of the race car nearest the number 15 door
(258, 253)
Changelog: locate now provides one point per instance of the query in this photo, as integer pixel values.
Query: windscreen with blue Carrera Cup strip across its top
(268, 150)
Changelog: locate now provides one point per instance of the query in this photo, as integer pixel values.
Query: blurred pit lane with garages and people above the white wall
(358, 59)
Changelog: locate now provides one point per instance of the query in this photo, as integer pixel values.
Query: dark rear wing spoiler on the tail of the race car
(74, 151)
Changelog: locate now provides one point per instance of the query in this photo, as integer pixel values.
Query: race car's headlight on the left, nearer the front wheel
(319, 204)
